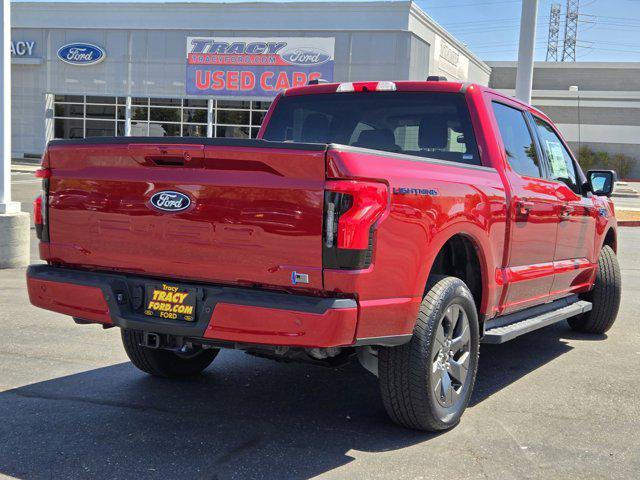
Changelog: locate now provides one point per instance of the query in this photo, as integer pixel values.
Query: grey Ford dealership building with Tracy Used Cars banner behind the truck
(205, 69)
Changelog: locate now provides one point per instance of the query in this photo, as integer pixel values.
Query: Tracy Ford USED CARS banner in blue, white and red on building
(256, 67)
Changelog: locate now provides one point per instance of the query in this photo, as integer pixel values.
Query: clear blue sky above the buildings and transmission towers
(609, 30)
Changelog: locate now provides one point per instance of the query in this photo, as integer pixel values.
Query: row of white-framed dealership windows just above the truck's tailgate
(79, 116)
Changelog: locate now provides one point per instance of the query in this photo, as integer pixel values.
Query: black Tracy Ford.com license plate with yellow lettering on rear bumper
(172, 302)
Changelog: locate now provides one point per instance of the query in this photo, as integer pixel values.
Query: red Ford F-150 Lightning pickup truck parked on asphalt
(401, 223)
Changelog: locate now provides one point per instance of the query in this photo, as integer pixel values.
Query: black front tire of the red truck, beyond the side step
(605, 296)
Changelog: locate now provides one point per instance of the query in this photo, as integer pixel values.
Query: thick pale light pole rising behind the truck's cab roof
(526, 50)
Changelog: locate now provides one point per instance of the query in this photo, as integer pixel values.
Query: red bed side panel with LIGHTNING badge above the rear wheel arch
(461, 199)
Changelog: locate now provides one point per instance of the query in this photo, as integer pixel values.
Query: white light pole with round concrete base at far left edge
(14, 225)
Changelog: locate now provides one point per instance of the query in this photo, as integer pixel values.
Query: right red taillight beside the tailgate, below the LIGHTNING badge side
(352, 210)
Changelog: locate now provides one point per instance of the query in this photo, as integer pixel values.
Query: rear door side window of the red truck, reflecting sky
(519, 146)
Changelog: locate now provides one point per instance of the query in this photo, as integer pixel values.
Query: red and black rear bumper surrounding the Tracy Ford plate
(240, 315)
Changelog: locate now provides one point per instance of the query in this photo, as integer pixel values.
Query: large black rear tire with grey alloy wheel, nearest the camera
(406, 373)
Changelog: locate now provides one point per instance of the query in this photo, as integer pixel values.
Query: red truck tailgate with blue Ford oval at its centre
(255, 213)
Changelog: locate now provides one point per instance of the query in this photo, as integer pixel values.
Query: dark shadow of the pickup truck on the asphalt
(245, 418)
